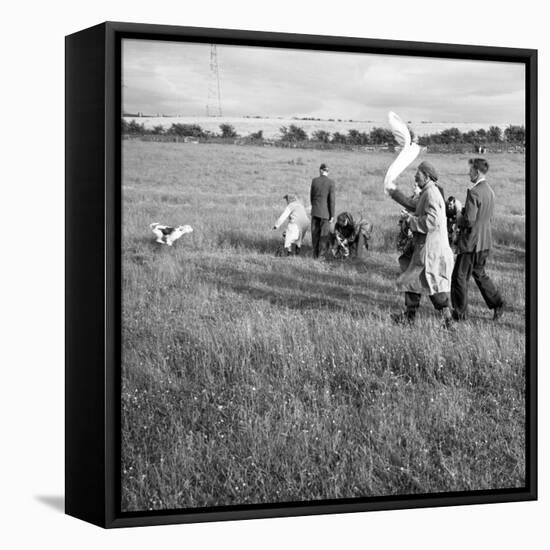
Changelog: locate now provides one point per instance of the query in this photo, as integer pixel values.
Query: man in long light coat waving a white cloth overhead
(428, 269)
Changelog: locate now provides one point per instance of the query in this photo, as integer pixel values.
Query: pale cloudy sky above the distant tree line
(174, 78)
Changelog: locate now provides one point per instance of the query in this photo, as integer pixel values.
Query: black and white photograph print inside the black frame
(323, 275)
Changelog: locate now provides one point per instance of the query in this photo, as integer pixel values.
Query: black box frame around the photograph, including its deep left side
(93, 251)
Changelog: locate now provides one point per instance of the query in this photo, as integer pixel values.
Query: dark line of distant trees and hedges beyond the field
(294, 134)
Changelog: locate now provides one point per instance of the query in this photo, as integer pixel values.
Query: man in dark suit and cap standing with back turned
(322, 198)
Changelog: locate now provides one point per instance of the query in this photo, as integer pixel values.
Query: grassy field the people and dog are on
(249, 378)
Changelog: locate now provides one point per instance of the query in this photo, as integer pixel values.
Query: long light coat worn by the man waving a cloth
(430, 268)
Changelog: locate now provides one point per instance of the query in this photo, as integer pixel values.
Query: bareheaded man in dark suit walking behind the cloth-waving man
(474, 244)
